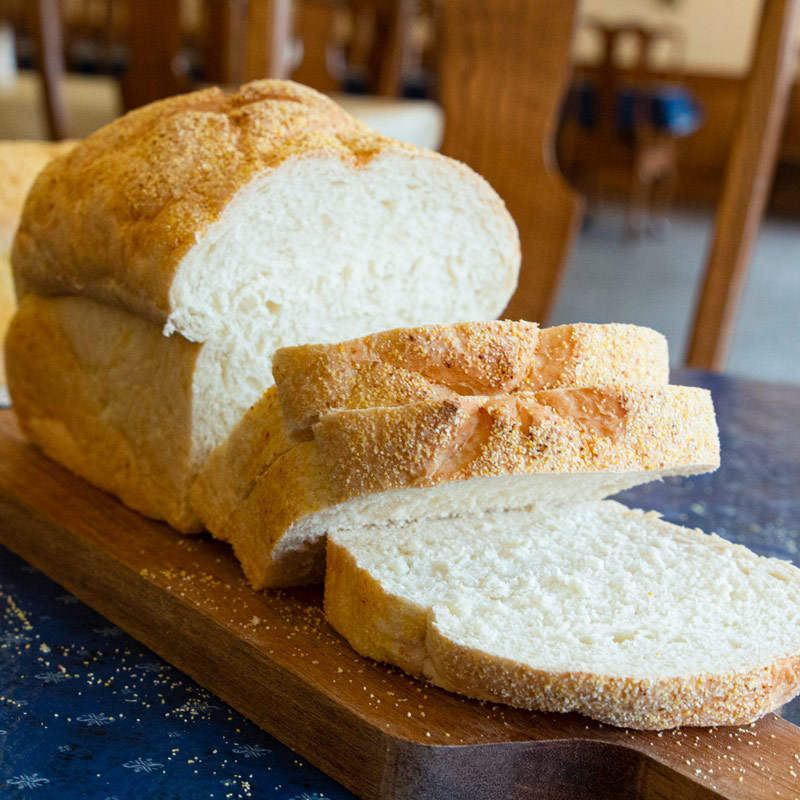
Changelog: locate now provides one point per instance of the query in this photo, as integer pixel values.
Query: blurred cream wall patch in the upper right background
(719, 33)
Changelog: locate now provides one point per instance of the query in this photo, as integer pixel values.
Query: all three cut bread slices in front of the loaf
(457, 474)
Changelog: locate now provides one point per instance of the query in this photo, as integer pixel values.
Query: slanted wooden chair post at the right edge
(747, 179)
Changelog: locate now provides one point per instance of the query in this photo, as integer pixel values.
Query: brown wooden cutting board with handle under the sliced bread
(272, 656)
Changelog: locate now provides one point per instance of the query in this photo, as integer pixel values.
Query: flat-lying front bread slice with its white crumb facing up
(592, 608)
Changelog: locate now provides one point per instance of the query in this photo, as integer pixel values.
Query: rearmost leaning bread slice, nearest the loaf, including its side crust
(406, 365)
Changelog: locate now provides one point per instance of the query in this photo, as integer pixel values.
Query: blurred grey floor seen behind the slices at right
(653, 282)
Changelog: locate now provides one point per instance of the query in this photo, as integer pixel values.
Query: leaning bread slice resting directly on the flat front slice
(452, 457)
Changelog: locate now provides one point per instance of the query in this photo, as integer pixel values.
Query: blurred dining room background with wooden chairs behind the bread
(642, 122)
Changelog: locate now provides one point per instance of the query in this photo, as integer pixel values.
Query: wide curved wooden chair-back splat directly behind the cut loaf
(503, 70)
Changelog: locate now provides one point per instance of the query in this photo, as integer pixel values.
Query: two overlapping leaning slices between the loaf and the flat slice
(445, 420)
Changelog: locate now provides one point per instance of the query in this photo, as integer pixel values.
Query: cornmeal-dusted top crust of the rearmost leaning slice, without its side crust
(437, 361)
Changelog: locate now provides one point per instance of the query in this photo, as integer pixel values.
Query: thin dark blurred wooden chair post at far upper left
(50, 42)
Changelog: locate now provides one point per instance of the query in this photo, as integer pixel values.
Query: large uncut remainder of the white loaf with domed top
(173, 251)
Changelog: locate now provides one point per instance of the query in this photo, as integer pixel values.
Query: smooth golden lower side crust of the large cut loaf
(97, 406)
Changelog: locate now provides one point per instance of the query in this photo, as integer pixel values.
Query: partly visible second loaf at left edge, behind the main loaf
(20, 163)
